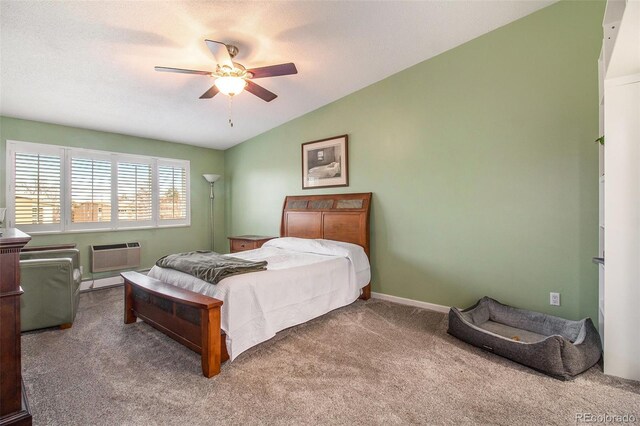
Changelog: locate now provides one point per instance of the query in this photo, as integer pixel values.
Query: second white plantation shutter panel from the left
(90, 190)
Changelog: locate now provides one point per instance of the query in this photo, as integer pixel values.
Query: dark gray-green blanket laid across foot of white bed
(209, 266)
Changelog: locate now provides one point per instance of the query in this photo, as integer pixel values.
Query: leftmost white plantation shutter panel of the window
(37, 189)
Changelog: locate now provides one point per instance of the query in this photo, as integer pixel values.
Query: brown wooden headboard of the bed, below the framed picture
(340, 217)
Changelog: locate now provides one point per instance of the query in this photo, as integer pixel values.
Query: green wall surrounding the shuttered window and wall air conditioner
(155, 242)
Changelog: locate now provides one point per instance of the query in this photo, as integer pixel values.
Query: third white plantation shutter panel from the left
(135, 202)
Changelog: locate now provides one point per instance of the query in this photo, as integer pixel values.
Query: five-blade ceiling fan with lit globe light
(231, 77)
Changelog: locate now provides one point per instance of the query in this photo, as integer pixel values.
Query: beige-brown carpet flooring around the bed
(372, 362)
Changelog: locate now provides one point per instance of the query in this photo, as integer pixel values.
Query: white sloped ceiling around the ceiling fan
(90, 64)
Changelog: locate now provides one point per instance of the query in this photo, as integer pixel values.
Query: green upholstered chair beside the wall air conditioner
(51, 283)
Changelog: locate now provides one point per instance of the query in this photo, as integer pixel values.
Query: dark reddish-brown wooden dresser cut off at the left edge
(14, 409)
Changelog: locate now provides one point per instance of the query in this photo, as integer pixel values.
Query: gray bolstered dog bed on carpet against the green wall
(555, 346)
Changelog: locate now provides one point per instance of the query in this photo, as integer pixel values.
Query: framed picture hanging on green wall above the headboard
(325, 163)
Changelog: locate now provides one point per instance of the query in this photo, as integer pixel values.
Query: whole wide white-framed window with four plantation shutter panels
(57, 189)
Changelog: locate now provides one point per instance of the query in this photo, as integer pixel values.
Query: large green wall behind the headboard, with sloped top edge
(481, 164)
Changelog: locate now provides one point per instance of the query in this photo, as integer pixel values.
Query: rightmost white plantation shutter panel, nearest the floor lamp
(172, 192)
